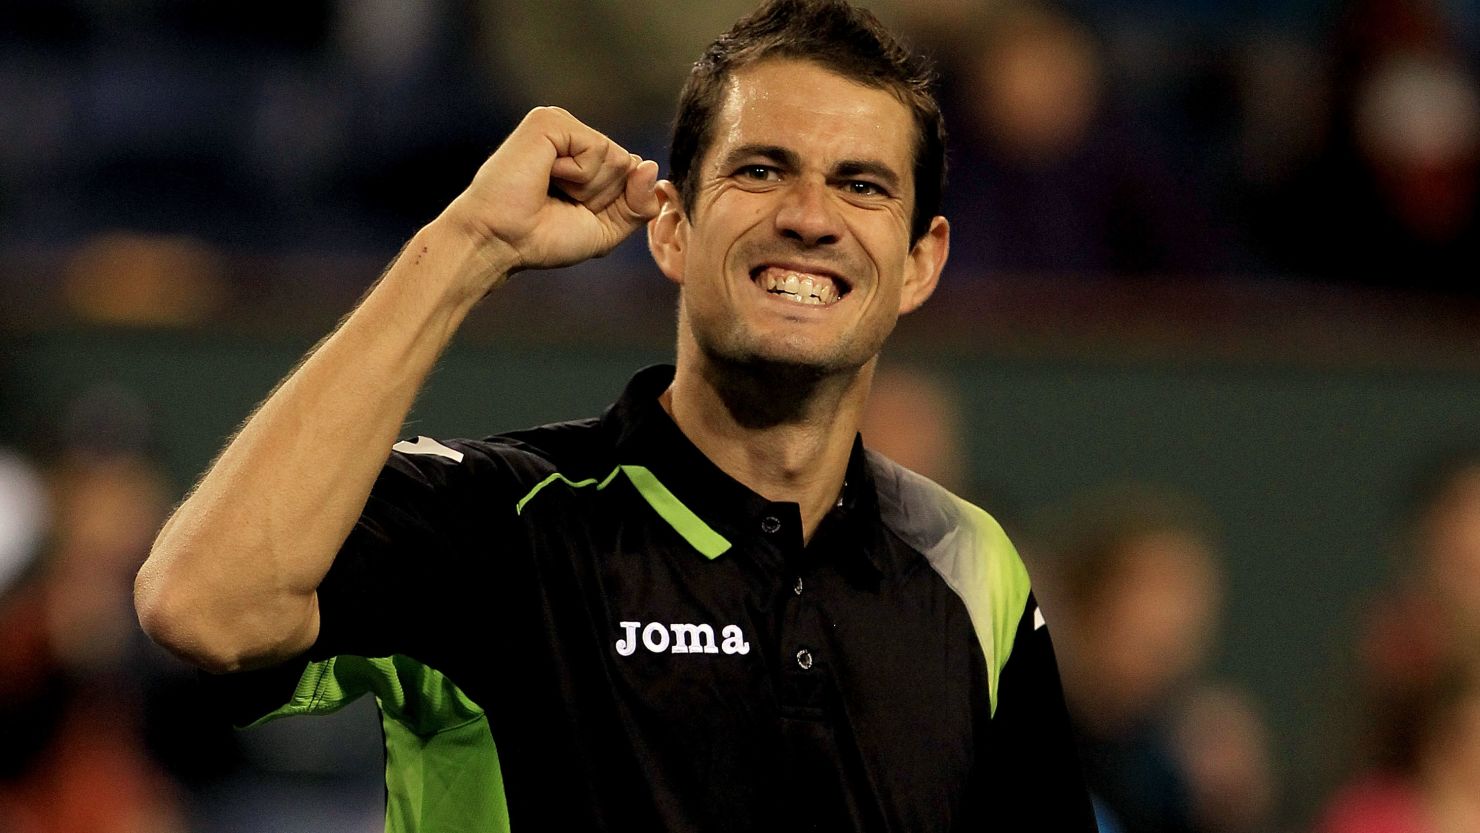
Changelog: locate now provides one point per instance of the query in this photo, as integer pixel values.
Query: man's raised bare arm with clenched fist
(232, 579)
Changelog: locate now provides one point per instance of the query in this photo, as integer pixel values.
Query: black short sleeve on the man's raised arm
(408, 578)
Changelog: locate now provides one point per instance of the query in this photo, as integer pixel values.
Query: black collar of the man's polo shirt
(646, 436)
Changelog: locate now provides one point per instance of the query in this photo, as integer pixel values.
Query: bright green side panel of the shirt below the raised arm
(442, 767)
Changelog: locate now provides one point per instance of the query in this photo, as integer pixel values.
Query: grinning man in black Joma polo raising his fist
(710, 609)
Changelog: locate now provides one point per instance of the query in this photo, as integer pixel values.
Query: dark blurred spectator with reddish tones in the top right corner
(1390, 198)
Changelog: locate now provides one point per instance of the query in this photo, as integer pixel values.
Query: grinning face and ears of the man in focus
(798, 249)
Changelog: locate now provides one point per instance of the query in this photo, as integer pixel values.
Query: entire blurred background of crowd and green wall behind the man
(1207, 347)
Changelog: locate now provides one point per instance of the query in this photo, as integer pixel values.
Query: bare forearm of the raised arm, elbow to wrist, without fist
(230, 581)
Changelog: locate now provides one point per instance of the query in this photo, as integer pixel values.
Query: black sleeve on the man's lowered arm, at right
(1032, 778)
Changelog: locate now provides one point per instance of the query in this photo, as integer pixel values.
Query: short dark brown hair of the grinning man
(840, 38)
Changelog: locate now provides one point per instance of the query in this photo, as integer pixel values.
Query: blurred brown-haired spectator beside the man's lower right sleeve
(1140, 596)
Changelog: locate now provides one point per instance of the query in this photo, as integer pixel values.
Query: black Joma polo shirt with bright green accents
(590, 627)
